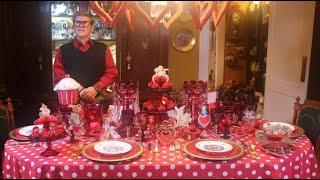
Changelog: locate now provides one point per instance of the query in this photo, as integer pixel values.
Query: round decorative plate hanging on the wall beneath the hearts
(184, 40)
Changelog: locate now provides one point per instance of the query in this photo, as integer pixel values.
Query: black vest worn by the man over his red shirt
(84, 67)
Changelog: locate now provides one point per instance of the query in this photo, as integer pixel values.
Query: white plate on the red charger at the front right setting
(214, 146)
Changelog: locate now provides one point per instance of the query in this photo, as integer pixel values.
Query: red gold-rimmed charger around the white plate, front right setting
(191, 149)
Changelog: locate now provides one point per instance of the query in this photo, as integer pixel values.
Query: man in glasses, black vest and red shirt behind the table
(88, 62)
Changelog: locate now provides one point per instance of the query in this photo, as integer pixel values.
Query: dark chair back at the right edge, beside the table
(307, 116)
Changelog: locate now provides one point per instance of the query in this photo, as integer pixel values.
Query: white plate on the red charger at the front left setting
(112, 147)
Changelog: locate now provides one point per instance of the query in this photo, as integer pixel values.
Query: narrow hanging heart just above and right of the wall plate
(195, 10)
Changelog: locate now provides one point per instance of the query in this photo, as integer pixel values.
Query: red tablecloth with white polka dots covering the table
(24, 161)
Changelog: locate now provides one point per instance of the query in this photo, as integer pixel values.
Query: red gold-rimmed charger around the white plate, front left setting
(90, 153)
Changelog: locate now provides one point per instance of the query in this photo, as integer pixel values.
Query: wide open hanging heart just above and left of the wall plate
(139, 11)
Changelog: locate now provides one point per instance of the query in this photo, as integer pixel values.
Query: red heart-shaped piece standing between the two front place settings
(166, 135)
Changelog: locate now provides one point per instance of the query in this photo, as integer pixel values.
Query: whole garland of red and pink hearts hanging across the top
(206, 8)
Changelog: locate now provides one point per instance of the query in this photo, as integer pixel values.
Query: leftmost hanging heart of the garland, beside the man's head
(105, 16)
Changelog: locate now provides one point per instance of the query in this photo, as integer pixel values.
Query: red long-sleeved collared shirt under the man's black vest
(110, 72)
